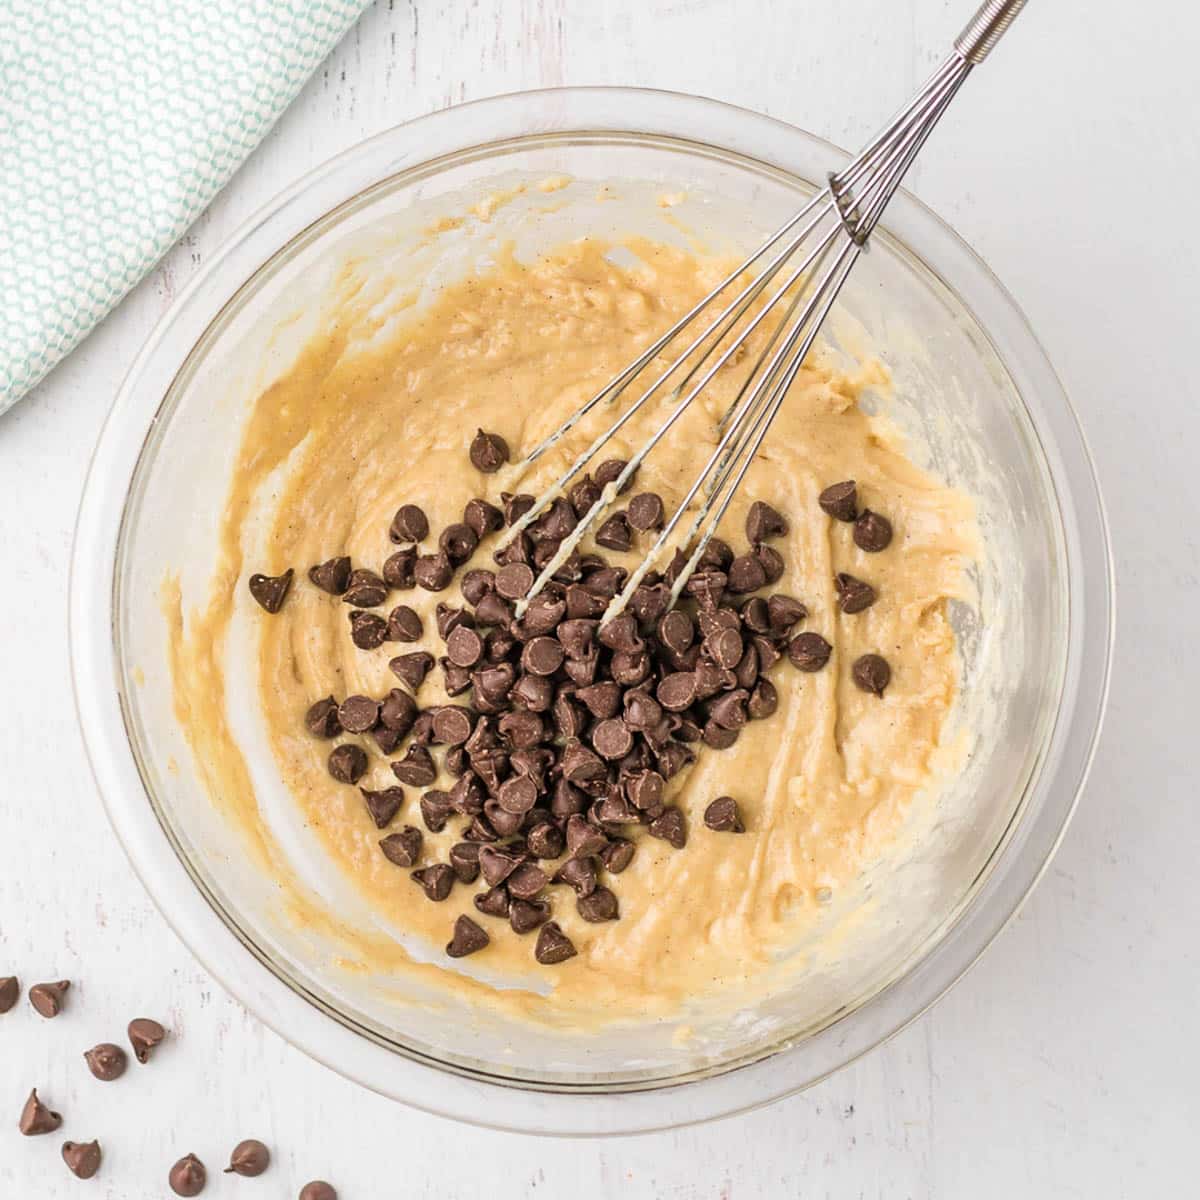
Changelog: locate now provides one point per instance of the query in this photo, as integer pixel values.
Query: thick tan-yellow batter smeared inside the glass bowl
(823, 785)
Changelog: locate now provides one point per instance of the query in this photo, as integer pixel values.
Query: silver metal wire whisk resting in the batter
(812, 255)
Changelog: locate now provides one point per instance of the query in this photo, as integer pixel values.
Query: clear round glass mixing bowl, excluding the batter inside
(973, 388)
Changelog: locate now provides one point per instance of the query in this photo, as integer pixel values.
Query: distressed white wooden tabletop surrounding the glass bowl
(1066, 1064)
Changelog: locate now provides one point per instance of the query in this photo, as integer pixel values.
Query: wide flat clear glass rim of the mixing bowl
(285, 1007)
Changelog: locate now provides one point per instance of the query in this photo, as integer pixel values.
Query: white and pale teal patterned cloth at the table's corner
(119, 122)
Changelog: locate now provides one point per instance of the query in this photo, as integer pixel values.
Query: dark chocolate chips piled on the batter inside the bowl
(567, 733)
